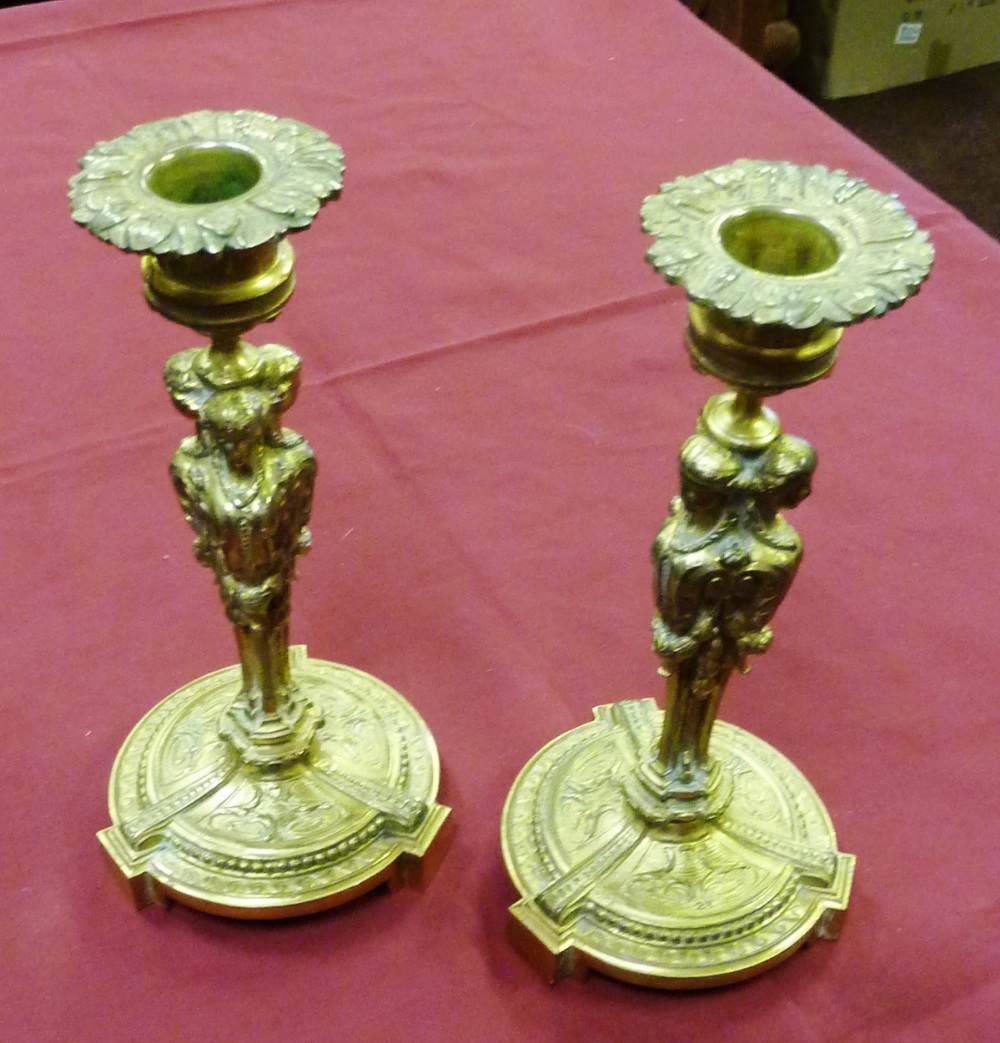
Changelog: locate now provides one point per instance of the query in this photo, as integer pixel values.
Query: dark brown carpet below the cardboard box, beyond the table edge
(945, 133)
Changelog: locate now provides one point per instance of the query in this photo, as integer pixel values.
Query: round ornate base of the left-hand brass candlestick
(197, 823)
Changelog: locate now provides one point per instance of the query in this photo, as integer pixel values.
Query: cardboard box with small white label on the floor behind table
(861, 46)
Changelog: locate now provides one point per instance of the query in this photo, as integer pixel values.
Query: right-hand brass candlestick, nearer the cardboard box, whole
(667, 848)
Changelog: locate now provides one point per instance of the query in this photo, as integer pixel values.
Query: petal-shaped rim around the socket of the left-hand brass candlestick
(300, 169)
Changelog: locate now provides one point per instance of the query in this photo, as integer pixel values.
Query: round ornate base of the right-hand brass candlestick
(678, 905)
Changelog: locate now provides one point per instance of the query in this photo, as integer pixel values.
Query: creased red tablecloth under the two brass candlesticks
(497, 390)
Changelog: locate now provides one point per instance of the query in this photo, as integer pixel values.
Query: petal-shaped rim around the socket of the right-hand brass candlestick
(880, 260)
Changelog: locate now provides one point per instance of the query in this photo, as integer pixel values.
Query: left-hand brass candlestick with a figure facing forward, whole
(285, 785)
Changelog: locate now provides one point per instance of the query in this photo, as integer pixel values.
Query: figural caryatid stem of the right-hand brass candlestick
(723, 562)
